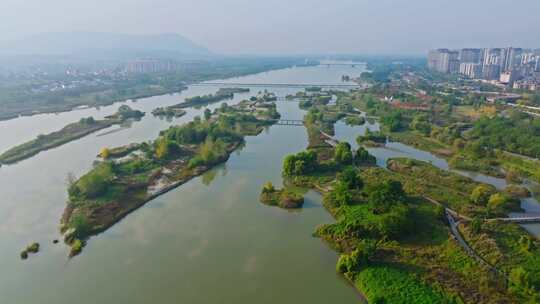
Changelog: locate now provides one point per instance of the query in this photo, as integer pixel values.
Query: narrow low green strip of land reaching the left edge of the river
(67, 134)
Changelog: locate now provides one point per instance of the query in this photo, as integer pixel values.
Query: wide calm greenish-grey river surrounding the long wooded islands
(209, 241)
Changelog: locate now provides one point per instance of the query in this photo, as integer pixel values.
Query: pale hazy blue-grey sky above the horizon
(291, 26)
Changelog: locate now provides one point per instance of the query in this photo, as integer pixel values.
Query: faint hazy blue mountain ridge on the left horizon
(90, 43)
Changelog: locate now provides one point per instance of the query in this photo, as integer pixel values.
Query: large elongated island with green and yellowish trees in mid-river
(115, 187)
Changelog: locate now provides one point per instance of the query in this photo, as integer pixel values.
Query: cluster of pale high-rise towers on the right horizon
(513, 67)
